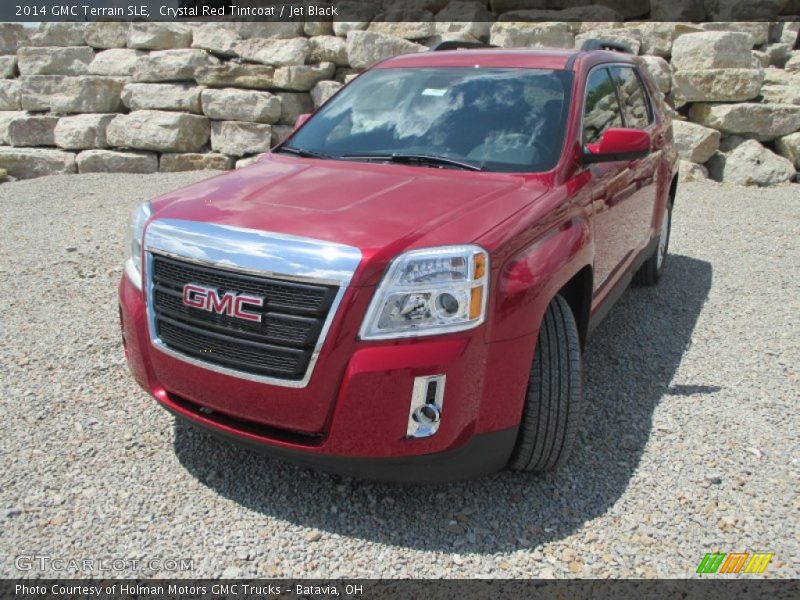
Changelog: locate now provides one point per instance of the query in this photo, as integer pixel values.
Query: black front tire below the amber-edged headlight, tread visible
(554, 397)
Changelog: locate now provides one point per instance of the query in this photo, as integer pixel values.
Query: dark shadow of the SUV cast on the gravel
(629, 365)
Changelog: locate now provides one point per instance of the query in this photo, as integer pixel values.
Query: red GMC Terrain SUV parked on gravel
(402, 289)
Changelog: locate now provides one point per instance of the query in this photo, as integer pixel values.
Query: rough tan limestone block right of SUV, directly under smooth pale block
(716, 85)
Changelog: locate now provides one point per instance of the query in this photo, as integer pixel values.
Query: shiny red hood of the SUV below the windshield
(382, 209)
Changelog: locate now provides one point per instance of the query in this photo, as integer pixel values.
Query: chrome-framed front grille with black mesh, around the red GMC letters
(301, 281)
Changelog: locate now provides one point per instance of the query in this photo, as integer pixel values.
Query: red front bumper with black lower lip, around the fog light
(353, 415)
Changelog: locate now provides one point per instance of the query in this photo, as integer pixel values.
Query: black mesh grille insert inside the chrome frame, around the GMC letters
(280, 345)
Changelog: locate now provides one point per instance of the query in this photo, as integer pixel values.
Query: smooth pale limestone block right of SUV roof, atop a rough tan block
(712, 50)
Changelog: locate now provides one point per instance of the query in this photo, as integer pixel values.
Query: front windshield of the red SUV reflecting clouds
(508, 120)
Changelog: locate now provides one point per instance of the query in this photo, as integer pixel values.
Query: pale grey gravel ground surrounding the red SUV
(689, 445)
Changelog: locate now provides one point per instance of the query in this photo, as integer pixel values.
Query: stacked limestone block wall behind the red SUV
(146, 97)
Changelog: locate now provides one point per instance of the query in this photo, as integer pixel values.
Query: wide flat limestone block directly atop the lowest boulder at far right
(760, 121)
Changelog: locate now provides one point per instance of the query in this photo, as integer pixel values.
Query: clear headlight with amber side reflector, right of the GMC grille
(430, 291)
